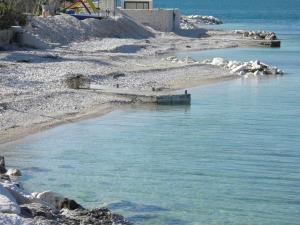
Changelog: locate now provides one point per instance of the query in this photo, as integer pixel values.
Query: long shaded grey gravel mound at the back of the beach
(65, 29)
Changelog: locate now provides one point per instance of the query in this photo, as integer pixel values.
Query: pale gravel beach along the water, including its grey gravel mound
(34, 94)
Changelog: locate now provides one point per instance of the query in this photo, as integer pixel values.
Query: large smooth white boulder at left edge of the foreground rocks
(8, 203)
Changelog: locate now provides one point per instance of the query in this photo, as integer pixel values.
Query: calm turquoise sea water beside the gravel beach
(231, 158)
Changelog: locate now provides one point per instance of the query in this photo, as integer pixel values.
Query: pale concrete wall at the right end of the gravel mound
(166, 20)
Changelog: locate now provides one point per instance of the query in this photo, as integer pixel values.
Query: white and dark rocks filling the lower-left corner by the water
(17, 207)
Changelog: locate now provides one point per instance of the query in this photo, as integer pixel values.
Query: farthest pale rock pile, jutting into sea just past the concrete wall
(194, 21)
